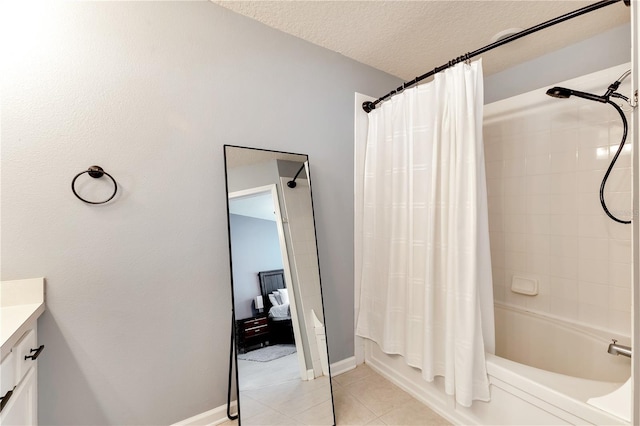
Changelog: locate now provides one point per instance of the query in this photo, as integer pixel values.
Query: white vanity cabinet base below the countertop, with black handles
(18, 378)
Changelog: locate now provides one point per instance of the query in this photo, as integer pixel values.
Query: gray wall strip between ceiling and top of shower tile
(603, 51)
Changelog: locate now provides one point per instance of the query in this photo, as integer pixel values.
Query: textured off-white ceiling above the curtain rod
(409, 38)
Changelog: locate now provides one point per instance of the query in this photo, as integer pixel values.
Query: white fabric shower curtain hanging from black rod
(426, 290)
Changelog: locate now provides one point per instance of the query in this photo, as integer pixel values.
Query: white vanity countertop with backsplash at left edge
(21, 303)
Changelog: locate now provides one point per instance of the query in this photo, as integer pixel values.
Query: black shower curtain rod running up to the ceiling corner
(368, 106)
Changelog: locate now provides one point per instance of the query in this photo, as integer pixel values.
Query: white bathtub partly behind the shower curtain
(545, 371)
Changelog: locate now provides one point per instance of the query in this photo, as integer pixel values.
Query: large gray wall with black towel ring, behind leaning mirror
(138, 297)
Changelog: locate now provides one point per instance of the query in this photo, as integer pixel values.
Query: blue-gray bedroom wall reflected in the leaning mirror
(255, 247)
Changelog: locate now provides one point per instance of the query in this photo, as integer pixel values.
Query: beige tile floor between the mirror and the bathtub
(363, 397)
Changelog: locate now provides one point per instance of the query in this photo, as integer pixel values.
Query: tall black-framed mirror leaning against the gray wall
(282, 359)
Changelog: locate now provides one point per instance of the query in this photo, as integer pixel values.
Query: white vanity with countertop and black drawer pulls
(21, 303)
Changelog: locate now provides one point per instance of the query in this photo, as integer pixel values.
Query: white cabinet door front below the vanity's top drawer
(21, 409)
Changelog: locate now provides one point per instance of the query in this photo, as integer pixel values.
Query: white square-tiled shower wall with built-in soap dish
(545, 159)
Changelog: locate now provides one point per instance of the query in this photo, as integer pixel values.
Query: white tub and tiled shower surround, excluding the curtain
(545, 162)
